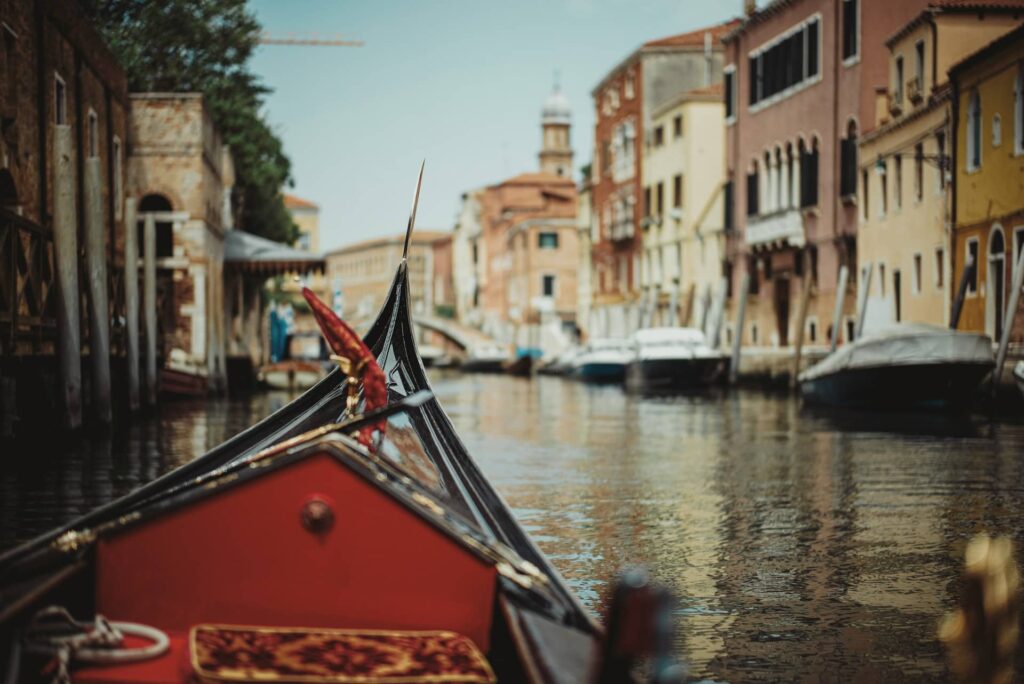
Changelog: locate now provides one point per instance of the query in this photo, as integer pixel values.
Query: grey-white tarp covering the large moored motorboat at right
(906, 345)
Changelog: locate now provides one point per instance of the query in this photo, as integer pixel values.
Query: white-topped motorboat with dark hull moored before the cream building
(672, 359)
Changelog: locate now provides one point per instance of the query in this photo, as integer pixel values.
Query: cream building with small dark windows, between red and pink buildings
(684, 239)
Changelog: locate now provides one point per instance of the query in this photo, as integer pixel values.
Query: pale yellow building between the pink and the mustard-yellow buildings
(906, 207)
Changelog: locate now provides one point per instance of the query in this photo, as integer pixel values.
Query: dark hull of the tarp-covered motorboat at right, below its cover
(914, 387)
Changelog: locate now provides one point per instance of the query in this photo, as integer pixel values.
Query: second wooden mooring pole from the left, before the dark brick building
(100, 315)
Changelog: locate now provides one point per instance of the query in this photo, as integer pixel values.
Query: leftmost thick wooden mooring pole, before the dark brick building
(66, 255)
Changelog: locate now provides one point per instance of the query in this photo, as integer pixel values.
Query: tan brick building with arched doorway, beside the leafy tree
(183, 176)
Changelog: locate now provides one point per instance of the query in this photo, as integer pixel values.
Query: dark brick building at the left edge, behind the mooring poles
(64, 122)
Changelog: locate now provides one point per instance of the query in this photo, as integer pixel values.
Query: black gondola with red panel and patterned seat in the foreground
(294, 546)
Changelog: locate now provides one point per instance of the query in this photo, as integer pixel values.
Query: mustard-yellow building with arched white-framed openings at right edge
(989, 208)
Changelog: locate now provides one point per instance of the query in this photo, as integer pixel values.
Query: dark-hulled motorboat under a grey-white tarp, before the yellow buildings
(907, 366)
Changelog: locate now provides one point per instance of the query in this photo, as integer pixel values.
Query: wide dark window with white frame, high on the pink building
(785, 63)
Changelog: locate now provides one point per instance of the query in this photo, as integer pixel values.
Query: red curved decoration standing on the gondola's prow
(346, 344)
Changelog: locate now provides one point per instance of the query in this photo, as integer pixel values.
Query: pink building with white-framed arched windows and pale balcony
(800, 78)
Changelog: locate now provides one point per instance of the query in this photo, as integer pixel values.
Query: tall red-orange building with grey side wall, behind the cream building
(625, 103)
